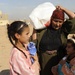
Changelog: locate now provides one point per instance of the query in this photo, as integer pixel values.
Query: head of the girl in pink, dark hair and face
(18, 31)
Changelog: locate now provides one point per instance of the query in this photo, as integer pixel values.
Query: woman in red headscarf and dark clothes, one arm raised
(50, 39)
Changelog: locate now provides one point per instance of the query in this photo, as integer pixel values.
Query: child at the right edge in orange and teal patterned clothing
(67, 65)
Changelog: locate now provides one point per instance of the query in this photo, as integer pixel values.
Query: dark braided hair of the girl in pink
(15, 27)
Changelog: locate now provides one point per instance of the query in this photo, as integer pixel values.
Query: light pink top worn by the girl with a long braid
(19, 64)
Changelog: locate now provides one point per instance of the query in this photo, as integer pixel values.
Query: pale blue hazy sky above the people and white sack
(20, 9)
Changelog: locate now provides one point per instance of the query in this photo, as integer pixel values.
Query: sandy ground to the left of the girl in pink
(5, 47)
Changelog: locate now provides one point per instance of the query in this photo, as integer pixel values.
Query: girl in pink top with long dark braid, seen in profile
(20, 61)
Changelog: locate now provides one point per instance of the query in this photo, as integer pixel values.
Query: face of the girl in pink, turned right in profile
(24, 36)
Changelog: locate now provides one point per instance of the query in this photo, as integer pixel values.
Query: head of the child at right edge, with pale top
(70, 44)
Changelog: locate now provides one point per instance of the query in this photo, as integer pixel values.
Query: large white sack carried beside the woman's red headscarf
(41, 15)
